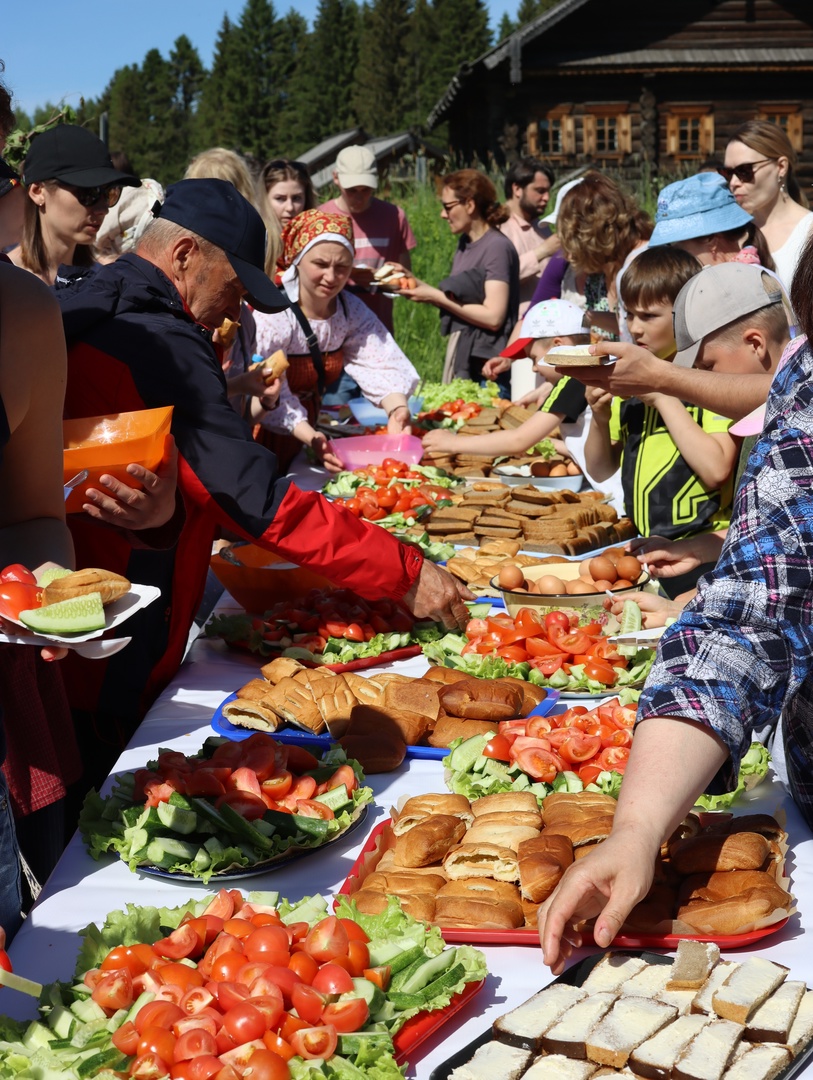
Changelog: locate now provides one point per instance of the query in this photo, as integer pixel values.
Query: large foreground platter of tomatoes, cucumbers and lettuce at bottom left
(246, 987)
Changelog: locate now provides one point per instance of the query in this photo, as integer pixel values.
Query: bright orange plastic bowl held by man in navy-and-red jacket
(109, 444)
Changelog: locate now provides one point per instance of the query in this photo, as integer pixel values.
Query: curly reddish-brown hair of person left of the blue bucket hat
(600, 225)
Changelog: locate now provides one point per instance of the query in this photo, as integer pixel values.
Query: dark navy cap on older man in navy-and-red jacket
(216, 211)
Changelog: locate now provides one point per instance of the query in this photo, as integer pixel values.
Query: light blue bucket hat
(701, 206)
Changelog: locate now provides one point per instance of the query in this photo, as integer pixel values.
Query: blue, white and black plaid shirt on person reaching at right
(742, 653)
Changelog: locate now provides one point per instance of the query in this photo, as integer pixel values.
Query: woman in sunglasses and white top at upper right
(760, 170)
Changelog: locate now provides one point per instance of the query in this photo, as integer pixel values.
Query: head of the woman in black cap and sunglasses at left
(72, 184)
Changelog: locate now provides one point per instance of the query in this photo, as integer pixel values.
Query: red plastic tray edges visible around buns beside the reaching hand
(529, 936)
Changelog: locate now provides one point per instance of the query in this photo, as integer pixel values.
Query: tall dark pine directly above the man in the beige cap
(382, 91)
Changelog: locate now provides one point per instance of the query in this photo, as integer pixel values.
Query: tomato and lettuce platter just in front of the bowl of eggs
(552, 651)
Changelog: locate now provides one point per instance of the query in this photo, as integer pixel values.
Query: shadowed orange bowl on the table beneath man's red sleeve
(264, 579)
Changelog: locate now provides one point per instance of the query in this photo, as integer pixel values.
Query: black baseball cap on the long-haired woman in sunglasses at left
(75, 156)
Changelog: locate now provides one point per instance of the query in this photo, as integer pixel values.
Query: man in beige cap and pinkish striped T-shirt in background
(382, 233)
